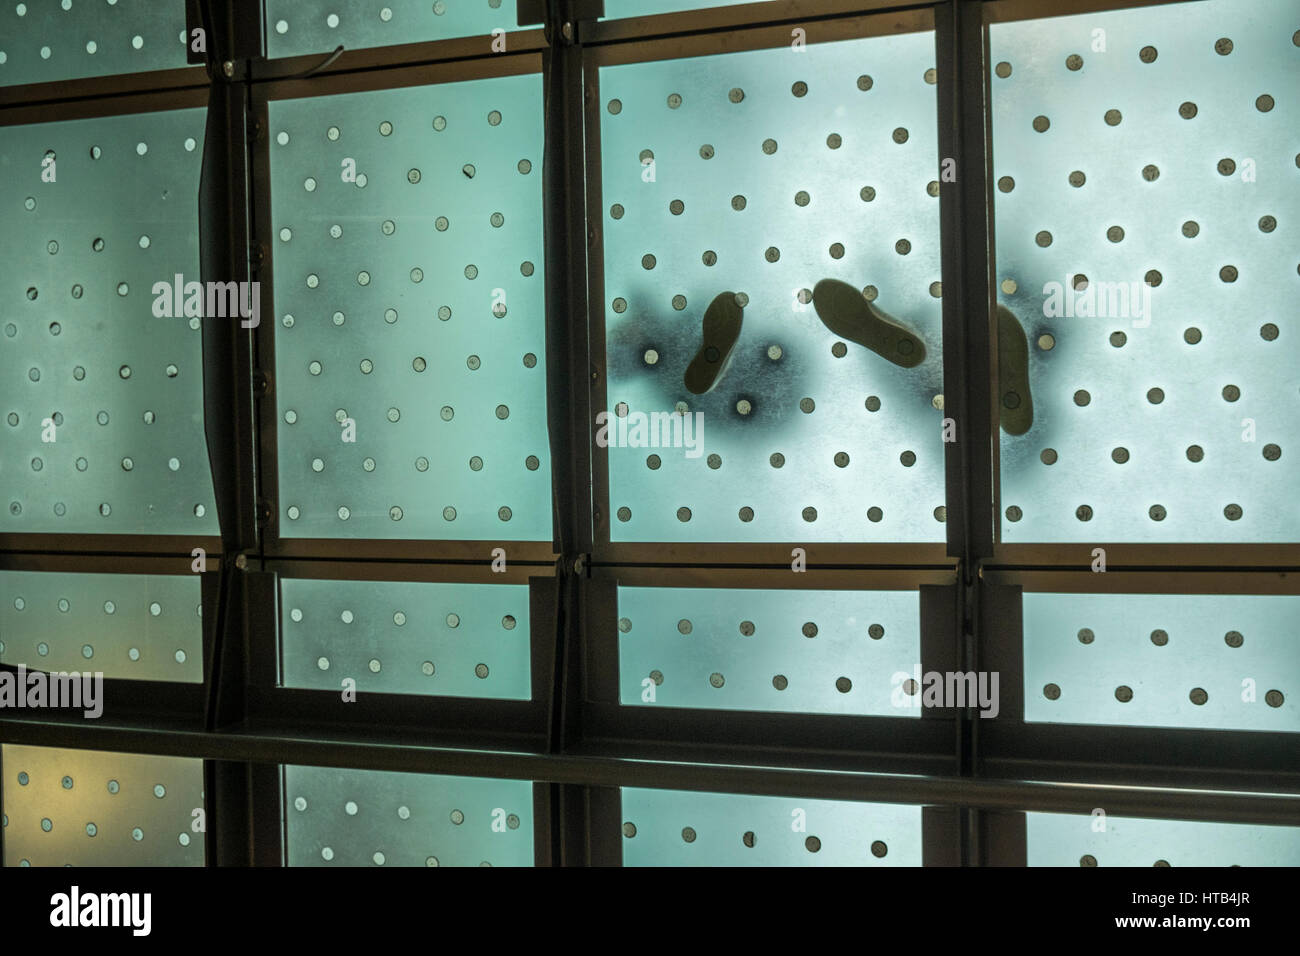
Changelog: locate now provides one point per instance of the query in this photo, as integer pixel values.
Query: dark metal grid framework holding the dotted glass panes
(574, 741)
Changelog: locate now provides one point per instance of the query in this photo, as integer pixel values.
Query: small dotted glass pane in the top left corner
(42, 41)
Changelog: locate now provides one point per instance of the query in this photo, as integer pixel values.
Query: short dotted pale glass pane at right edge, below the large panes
(1211, 661)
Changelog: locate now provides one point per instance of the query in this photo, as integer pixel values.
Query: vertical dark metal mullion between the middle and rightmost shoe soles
(967, 243)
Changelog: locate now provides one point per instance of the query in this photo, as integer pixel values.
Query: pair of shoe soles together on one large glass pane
(840, 308)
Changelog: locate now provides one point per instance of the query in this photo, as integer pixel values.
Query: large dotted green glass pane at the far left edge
(101, 380)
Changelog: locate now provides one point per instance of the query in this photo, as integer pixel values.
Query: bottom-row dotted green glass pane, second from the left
(382, 819)
